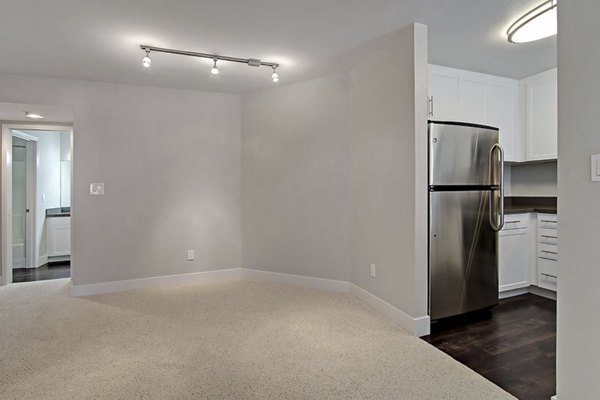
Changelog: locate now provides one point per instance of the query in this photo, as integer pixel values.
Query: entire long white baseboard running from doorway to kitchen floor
(416, 326)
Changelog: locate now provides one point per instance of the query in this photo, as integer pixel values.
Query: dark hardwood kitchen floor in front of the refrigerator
(512, 345)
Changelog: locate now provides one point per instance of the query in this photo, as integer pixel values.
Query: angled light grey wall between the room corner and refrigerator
(334, 175)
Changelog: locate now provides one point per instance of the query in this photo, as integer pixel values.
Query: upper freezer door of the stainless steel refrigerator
(460, 154)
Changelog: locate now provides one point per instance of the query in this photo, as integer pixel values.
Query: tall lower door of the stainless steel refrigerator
(463, 258)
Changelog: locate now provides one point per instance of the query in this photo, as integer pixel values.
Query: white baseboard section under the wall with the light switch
(154, 282)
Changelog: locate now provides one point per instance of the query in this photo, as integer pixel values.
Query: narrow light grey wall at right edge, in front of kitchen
(578, 352)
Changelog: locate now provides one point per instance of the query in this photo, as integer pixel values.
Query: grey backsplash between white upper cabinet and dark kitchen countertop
(538, 179)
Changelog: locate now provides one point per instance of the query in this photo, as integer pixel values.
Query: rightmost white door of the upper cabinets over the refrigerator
(501, 113)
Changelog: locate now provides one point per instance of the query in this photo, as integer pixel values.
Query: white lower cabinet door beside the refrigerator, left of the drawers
(514, 259)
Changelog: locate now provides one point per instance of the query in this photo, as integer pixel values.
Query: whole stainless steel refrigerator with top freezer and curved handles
(466, 210)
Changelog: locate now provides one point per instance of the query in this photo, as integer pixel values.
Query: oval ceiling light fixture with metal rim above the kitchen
(539, 23)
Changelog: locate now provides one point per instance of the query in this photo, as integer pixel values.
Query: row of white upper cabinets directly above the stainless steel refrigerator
(458, 95)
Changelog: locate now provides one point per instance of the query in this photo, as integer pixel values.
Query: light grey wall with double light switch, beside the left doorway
(170, 161)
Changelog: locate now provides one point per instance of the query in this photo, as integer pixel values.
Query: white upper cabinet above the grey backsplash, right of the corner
(542, 115)
